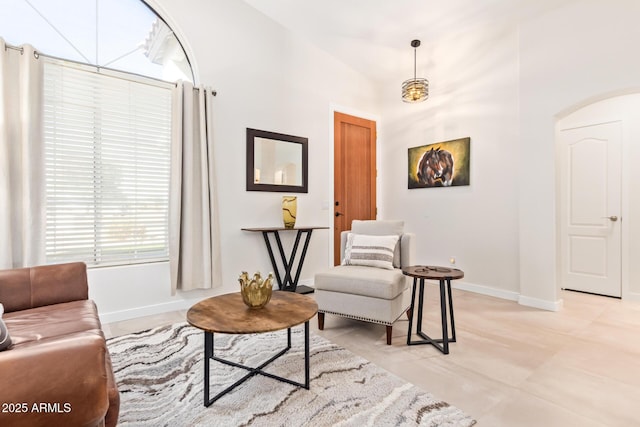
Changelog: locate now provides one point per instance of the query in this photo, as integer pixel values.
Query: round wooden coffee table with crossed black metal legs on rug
(228, 314)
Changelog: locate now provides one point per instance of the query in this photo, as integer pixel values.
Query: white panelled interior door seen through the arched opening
(590, 201)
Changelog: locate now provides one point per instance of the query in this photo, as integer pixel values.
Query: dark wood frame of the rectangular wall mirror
(252, 134)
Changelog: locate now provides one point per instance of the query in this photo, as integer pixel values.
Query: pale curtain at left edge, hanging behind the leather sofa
(22, 199)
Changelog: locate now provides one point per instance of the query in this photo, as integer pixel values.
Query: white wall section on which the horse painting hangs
(474, 87)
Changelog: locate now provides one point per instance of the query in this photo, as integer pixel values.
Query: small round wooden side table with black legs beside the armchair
(444, 275)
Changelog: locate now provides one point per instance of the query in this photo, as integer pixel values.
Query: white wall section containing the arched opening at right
(568, 57)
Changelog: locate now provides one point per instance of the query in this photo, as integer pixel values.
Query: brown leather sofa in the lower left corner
(57, 371)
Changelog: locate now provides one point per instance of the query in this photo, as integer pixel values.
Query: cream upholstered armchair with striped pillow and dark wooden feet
(369, 285)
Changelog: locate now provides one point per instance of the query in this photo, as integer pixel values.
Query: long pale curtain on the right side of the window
(194, 237)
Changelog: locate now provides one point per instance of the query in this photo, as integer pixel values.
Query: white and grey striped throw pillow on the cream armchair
(370, 251)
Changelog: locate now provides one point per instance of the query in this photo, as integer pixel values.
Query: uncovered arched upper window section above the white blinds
(125, 35)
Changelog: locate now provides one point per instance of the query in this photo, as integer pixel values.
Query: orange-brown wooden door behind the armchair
(354, 173)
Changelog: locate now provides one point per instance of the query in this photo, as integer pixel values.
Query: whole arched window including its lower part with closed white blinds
(107, 126)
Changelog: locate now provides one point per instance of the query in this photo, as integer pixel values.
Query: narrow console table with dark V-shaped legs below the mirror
(287, 282)
